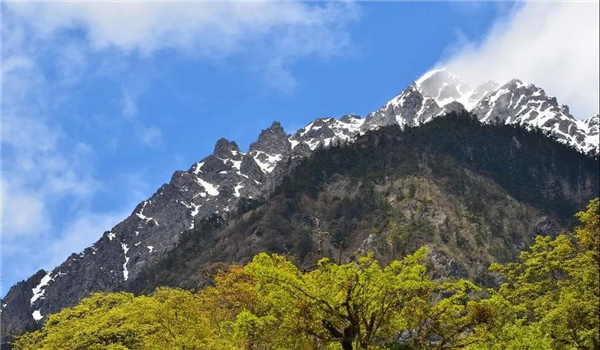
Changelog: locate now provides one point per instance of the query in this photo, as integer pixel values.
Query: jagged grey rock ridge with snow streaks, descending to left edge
(213, 185)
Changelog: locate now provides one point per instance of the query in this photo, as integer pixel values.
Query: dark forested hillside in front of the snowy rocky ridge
(472, 193)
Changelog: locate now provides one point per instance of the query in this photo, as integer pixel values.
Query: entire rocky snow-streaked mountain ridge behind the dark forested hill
(217, 183)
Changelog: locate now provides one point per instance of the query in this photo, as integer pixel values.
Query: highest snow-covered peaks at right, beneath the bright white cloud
(439, 92)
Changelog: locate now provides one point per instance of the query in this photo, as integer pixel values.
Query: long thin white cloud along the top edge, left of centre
(283, 31)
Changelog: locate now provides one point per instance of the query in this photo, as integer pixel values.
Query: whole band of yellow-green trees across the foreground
(549, 299)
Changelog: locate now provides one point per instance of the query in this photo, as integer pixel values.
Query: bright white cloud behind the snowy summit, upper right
(554, 45)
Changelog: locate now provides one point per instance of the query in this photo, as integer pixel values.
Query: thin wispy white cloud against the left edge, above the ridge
(36, 170)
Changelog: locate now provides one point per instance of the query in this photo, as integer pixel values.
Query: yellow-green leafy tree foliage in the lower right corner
(550, 297)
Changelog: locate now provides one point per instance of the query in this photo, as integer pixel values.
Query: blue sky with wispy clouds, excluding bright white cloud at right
(101, 103)
